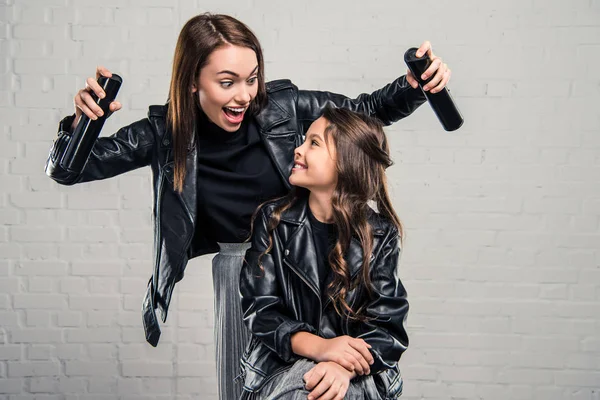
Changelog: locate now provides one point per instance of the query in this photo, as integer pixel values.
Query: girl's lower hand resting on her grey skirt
(327, 381)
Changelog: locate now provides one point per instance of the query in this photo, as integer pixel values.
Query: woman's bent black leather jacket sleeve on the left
(127, 149)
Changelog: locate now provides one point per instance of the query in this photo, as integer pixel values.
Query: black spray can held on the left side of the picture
(87, 130)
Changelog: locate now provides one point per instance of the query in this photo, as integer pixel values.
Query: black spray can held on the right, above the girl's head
(442, 103)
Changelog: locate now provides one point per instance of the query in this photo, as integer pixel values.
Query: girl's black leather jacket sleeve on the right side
(387, 309)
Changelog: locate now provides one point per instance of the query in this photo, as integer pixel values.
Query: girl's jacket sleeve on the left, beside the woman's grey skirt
(263, 308)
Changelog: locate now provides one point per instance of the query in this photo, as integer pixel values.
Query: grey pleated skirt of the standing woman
(231, 335)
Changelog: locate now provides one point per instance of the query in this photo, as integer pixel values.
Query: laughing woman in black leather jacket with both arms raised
(222, 145)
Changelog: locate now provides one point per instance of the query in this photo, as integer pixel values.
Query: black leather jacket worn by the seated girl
(283, 297)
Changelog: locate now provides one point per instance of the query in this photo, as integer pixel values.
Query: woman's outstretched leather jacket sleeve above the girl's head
(389, 104)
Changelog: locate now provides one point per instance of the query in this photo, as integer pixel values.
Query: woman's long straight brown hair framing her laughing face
(199, 37)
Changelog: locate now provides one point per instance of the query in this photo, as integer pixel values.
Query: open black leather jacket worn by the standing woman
(282, 122)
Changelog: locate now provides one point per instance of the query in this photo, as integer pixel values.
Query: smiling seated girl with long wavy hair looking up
(320, 292)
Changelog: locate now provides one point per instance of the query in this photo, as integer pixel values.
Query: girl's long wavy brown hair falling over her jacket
(362, 155)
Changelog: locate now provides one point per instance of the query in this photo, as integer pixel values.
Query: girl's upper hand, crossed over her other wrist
(352, 354)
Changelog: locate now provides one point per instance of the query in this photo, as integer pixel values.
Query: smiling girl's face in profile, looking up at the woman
(315, 161)
